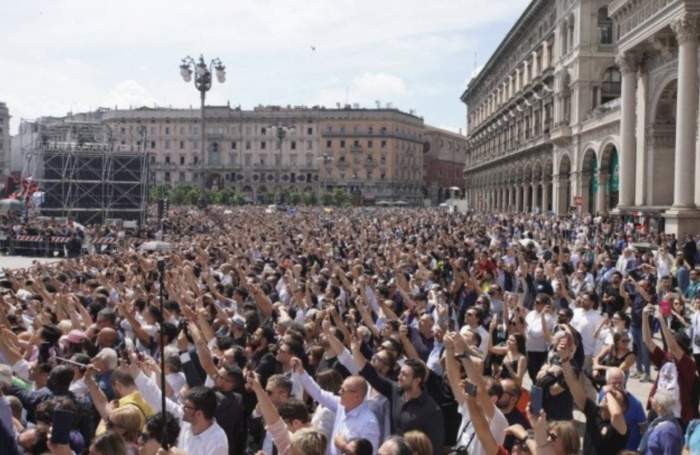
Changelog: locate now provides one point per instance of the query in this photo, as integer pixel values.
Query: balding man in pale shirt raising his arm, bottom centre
(353, 417)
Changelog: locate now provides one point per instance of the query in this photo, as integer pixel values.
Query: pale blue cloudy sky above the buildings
(74, 55)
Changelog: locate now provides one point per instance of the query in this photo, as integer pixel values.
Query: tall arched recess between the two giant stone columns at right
(661, 150)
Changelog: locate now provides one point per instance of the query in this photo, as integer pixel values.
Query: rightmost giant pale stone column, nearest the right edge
(686, 32)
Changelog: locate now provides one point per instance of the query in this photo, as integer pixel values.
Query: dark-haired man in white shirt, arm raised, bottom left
(199, 434)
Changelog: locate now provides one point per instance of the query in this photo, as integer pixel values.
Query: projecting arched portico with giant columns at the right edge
(657, 55)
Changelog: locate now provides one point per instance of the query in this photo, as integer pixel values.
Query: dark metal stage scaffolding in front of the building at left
(88, 181)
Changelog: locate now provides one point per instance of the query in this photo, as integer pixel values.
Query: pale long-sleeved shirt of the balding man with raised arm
(359, 422)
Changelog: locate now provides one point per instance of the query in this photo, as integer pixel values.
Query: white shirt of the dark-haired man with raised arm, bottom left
(211, 441)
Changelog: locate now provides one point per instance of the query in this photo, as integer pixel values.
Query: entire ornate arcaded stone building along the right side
(605, 77)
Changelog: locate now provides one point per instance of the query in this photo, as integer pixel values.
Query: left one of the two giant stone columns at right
(627, 63)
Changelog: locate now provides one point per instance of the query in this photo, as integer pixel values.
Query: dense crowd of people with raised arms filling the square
(390, 332)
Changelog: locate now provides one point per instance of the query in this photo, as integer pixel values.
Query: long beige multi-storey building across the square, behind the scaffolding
(375, 154)
